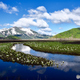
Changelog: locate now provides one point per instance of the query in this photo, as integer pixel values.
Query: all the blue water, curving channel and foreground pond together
(15, 71)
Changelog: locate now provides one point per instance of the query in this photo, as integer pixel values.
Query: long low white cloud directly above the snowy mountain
(26, 22)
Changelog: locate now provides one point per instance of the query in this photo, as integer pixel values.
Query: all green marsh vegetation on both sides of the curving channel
(7, 54)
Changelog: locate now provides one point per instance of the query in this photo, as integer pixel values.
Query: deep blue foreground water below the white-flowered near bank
(15, 71)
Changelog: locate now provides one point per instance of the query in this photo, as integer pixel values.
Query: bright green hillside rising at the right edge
(73, 33)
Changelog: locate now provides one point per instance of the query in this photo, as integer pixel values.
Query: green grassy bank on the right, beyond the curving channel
(55, 47)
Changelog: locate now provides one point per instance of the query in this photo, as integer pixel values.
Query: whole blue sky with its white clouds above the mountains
(44, 16)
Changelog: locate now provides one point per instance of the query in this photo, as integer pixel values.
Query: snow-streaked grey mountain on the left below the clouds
(23, 33)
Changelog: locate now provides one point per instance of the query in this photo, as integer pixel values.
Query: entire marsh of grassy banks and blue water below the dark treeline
(40, 60)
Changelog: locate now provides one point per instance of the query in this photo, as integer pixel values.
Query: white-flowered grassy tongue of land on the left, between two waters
(7, 54)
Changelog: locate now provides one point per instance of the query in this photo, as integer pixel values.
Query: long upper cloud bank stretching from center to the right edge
(60, 16)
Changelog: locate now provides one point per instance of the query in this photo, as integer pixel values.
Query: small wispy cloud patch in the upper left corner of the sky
(7, 8)
